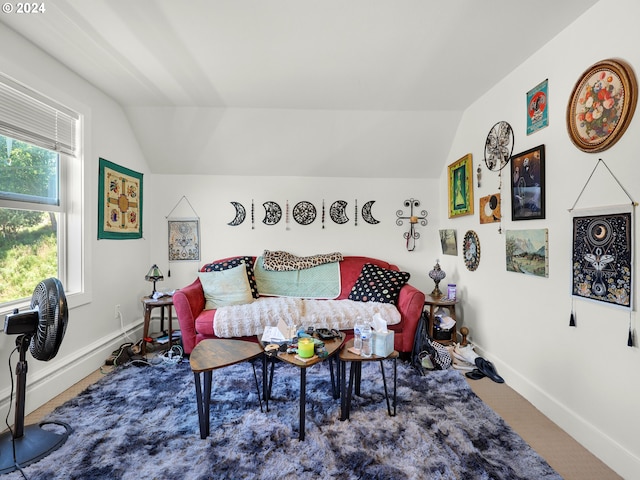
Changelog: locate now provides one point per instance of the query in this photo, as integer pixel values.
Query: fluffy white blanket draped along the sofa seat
(251, 318)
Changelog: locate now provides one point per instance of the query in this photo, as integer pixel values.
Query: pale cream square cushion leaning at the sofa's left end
(226, 287)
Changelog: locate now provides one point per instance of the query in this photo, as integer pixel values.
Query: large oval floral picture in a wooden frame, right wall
(601, 105)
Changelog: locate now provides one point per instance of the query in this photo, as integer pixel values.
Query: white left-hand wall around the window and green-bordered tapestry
(114, 269)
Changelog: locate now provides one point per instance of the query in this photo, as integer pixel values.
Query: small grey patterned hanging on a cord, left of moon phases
(184, 235)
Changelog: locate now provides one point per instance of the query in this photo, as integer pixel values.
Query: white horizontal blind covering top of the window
(31, 117)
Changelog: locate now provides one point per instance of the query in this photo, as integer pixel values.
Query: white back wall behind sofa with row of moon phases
(210, 197)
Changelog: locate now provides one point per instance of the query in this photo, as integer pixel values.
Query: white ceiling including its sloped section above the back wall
(295, 87)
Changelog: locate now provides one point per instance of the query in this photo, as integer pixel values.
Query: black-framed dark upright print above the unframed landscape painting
(527, 185)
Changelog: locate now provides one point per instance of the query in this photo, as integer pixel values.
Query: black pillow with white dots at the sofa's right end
(377, 284)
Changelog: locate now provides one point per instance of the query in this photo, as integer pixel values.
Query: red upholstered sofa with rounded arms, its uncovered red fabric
(196, 324)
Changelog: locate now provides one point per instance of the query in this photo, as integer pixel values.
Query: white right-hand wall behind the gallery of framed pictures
(584, 378)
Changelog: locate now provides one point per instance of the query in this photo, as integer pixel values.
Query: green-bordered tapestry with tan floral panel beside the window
(119, 202)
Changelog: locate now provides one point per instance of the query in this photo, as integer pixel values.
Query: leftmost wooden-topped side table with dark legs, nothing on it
(209, 355)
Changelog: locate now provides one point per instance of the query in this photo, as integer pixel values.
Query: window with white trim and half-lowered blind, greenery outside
(40, 234)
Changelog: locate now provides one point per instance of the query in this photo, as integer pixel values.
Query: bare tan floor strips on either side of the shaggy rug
(562, 452)
